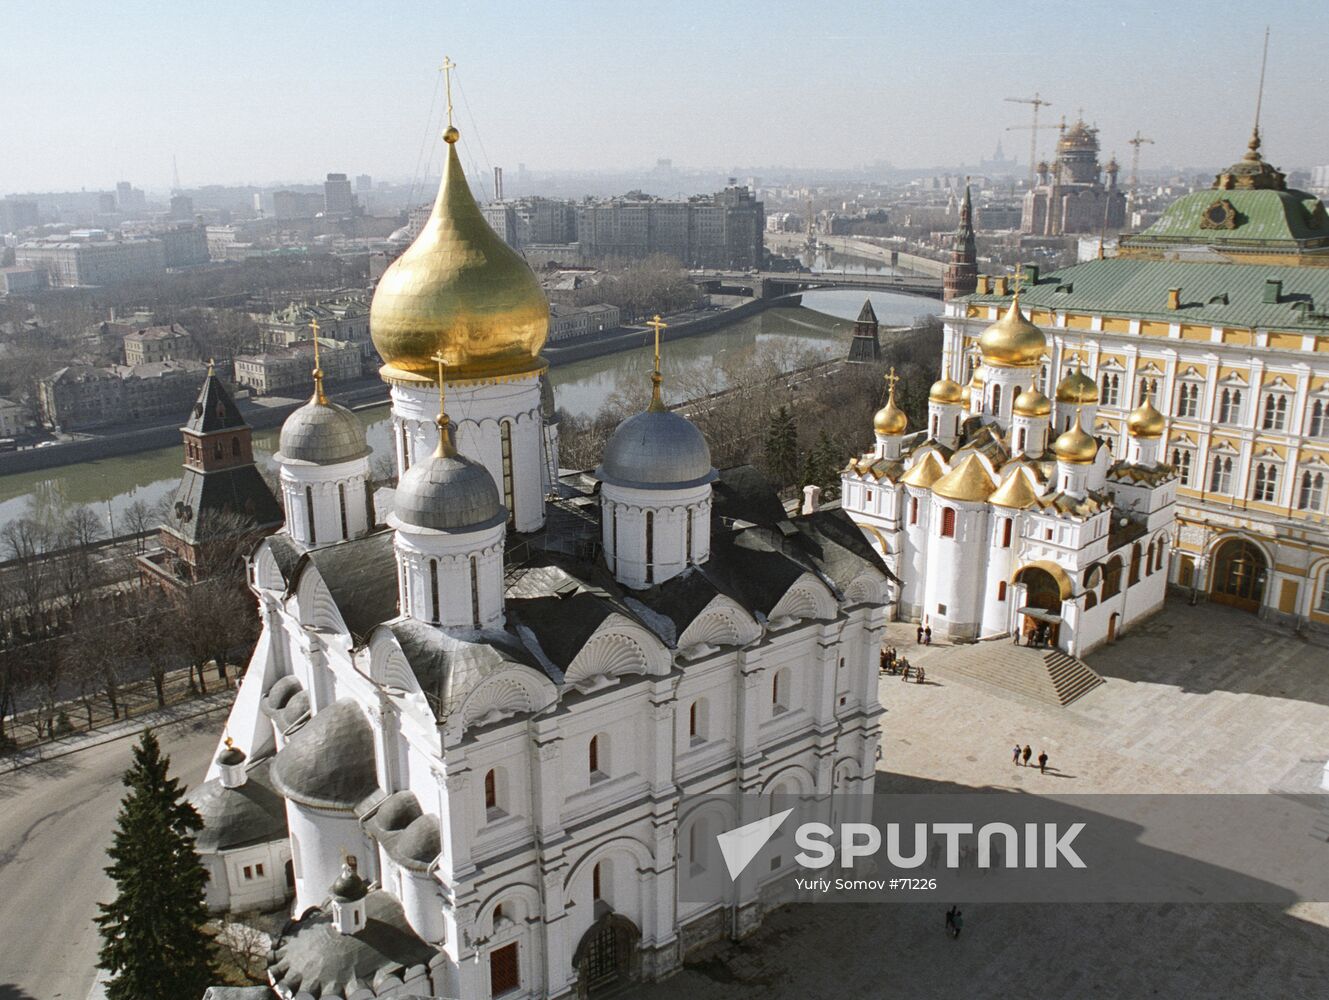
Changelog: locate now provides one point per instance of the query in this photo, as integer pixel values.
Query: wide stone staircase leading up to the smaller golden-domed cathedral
(1047, 676)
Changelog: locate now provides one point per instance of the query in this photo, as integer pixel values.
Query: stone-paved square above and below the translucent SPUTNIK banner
(1198, 700)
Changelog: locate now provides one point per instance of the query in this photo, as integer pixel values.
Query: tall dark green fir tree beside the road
(153, 941)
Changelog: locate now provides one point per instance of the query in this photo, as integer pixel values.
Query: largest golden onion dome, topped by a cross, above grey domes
(462, 293)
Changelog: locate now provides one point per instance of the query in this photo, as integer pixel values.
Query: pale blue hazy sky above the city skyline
(262, 92)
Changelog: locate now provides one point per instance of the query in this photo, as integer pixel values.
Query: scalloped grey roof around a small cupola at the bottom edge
(320, 961)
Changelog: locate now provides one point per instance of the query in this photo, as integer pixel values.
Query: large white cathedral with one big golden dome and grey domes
(480, 705)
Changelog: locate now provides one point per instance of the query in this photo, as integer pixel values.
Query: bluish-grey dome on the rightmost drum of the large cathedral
(657, 450)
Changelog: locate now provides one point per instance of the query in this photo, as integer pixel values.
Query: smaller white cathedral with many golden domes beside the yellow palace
(1007, 517)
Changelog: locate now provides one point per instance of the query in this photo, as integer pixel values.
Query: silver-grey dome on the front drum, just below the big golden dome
(449, 493)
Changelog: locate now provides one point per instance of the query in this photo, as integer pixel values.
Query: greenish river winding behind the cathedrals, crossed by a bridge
(823, 325)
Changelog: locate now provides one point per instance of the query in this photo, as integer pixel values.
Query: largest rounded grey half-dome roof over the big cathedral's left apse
(329, 763)
